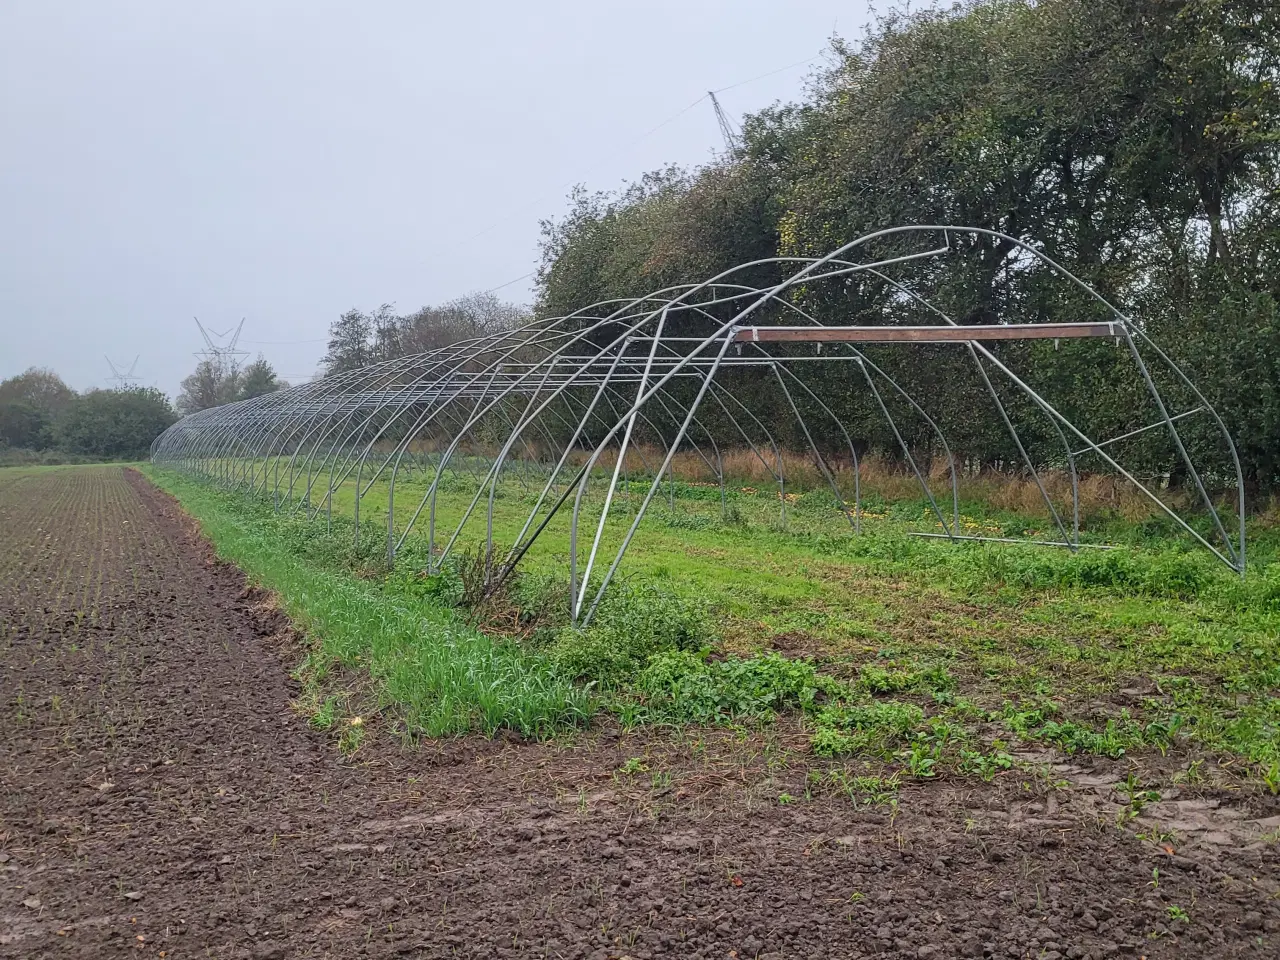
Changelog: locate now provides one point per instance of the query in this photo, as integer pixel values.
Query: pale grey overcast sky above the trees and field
(284, 162)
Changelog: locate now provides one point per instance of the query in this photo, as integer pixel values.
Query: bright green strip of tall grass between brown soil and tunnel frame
(450, 678)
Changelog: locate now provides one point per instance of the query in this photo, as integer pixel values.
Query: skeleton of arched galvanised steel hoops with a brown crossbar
(551, 399)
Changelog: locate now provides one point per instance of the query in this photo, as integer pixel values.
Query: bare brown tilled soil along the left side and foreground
(161, 798)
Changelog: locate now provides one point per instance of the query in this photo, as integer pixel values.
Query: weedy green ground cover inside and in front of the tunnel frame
(929, 655)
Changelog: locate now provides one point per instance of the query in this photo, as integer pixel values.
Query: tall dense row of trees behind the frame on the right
(1135, 141)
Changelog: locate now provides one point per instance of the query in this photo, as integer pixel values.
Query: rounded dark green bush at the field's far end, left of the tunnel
(115, 424)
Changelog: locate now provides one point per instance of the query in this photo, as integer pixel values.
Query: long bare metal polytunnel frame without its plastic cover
(463, 385)
